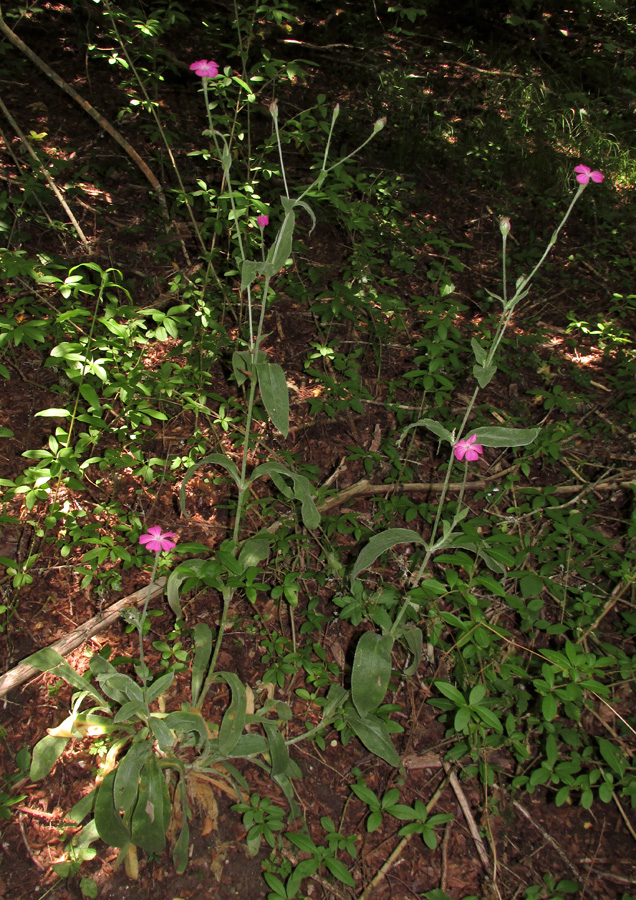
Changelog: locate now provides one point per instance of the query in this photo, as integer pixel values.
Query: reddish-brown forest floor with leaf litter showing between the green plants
(530, 841)
